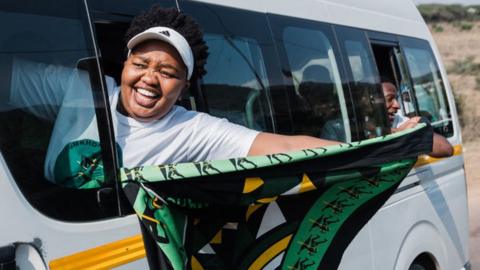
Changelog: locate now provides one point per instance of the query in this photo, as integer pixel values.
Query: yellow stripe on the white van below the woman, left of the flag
(103, 257)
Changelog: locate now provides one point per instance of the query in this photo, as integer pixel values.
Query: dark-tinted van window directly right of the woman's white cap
(236, 84)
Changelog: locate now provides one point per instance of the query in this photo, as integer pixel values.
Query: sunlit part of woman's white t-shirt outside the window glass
(180, 136)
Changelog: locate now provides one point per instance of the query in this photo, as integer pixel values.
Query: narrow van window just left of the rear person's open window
(368, 100)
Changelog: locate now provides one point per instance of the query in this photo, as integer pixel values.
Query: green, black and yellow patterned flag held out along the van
(297, 210)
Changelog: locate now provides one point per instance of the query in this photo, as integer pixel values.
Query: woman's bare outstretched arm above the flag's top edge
(269, 143)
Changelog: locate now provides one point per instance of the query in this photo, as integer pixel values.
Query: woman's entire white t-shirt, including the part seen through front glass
(63, 95)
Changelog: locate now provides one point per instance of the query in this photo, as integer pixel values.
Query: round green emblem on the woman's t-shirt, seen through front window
(80, 165)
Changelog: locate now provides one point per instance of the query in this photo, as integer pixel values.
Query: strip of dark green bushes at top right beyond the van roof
(435, 13)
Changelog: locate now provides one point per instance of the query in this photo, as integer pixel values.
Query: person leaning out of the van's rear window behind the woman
(399, 122)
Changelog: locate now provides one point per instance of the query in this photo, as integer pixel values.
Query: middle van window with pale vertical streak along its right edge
(319, 107)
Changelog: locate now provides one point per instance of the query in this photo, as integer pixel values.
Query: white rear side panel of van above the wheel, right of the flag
(442, 208)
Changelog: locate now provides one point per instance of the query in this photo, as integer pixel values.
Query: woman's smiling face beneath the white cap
(153, 79)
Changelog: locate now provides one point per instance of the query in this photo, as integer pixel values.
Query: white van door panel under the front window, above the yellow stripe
(54, 239)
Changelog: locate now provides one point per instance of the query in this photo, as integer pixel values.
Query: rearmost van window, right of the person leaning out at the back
(428, 85)
